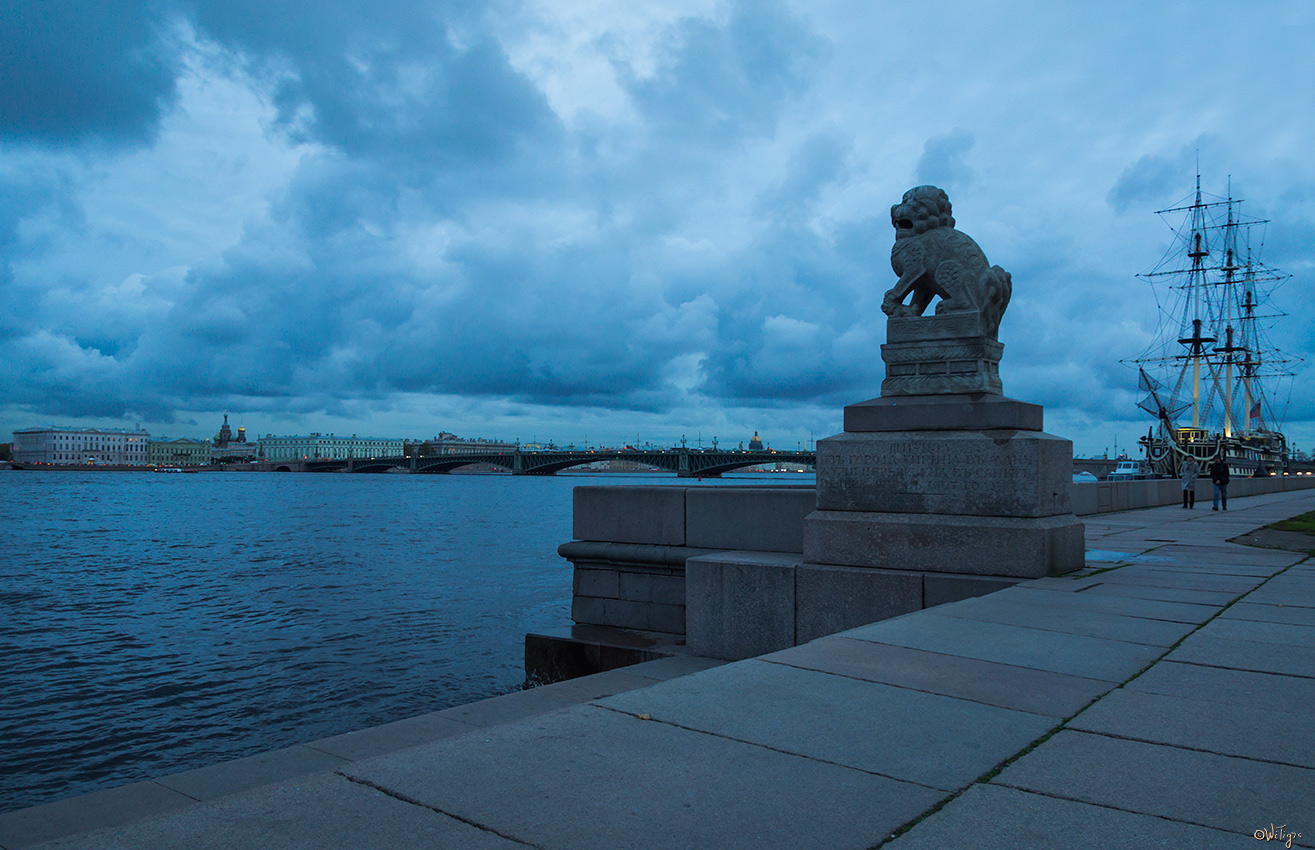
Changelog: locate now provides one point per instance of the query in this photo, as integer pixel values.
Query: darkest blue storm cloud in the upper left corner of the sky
(77, 72)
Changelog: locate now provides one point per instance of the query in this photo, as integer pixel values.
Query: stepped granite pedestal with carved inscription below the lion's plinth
(963, 486)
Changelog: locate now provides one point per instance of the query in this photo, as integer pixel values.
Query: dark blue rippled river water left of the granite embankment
(151, 624)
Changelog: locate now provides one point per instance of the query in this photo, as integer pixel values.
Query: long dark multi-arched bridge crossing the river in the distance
(683, 462)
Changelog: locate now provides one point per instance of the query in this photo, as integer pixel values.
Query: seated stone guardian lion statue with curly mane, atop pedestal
(934, 260)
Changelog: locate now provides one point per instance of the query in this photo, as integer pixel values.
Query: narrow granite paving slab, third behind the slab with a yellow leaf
(1051, 619)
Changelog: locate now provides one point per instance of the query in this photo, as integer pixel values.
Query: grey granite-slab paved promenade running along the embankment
(1164, 698)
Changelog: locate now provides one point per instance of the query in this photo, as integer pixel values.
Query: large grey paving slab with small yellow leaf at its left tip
(933, 740)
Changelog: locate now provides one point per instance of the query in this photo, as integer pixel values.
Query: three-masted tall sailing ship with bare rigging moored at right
(1212, 377)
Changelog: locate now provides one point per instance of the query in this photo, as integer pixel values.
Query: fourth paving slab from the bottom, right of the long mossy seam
(1242, 689)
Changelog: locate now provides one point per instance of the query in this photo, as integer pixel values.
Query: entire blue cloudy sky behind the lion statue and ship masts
(611, 220)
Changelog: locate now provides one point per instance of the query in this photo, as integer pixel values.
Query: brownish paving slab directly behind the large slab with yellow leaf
(1007, 686)
